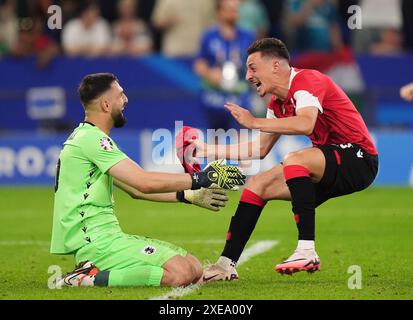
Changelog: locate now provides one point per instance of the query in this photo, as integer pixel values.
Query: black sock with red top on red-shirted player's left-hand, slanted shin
(242, 224)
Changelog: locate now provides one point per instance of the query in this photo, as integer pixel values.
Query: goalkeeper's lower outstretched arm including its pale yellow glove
(212, 199)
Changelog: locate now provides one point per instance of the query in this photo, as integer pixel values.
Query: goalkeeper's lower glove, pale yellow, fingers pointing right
(211, 199)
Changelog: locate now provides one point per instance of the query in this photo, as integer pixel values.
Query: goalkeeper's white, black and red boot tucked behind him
(83, 276)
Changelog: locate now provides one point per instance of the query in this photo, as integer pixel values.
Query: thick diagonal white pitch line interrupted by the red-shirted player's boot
(256, 249)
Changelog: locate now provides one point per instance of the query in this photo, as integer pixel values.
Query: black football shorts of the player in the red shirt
(348, 169)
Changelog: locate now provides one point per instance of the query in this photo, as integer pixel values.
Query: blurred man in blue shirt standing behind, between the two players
(220, 64)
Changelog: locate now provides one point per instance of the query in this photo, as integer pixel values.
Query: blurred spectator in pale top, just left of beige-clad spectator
(131, 35)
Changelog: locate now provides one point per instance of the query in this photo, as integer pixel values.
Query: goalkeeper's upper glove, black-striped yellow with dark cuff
(219, 174)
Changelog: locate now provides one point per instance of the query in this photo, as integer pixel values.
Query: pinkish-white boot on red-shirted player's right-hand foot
(300, 260)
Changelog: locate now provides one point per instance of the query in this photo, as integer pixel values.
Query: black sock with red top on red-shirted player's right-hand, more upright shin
(303, 200)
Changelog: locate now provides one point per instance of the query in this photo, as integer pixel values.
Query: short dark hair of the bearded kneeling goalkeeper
(93, 85)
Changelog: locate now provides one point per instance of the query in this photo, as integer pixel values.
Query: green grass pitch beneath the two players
(372, 229)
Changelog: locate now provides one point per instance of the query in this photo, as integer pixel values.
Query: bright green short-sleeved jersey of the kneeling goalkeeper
(83, 204)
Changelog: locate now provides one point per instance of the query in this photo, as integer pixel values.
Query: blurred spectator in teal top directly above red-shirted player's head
(254, 18)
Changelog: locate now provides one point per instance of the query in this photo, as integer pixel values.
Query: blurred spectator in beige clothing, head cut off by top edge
(182, 23)
